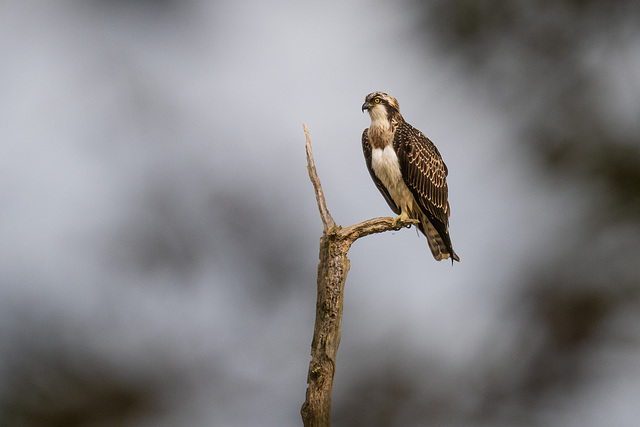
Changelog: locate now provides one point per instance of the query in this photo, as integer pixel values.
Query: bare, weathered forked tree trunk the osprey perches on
(332, 274)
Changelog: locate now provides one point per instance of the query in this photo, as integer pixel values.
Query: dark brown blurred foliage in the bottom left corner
(47, 382)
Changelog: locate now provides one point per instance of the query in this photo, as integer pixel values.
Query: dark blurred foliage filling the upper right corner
(548, 64)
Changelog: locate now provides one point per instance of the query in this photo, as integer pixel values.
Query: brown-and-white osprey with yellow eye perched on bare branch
(409, 172)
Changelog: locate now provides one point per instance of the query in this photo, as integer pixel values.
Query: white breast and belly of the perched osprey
(384, 163)
